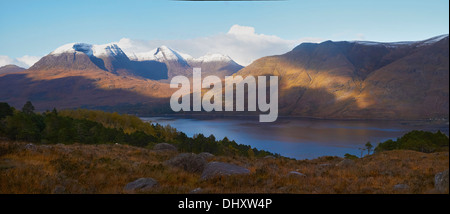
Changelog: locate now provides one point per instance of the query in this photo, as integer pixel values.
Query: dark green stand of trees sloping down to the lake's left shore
(98, 127)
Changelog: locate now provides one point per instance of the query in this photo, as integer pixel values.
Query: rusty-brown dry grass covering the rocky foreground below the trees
(108, 168)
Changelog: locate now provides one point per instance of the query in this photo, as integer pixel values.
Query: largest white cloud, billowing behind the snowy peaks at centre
(241, 43)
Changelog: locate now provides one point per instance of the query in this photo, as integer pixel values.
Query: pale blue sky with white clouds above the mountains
(30, 29)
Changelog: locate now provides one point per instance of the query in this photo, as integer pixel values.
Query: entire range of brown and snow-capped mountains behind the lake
(361, 80)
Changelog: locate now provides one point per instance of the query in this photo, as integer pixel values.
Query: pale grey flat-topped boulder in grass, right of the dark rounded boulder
(214, 169)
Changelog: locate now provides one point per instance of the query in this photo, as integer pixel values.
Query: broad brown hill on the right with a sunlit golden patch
(407, 80)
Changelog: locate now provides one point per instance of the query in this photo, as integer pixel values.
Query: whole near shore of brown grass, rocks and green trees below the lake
(83, 151)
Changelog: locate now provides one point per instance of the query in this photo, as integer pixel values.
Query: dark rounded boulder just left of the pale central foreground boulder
(189, 162)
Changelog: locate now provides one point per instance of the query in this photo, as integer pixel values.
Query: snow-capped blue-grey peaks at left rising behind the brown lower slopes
(162, 63)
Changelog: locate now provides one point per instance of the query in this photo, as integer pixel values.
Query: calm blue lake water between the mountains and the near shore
(300, 138)
